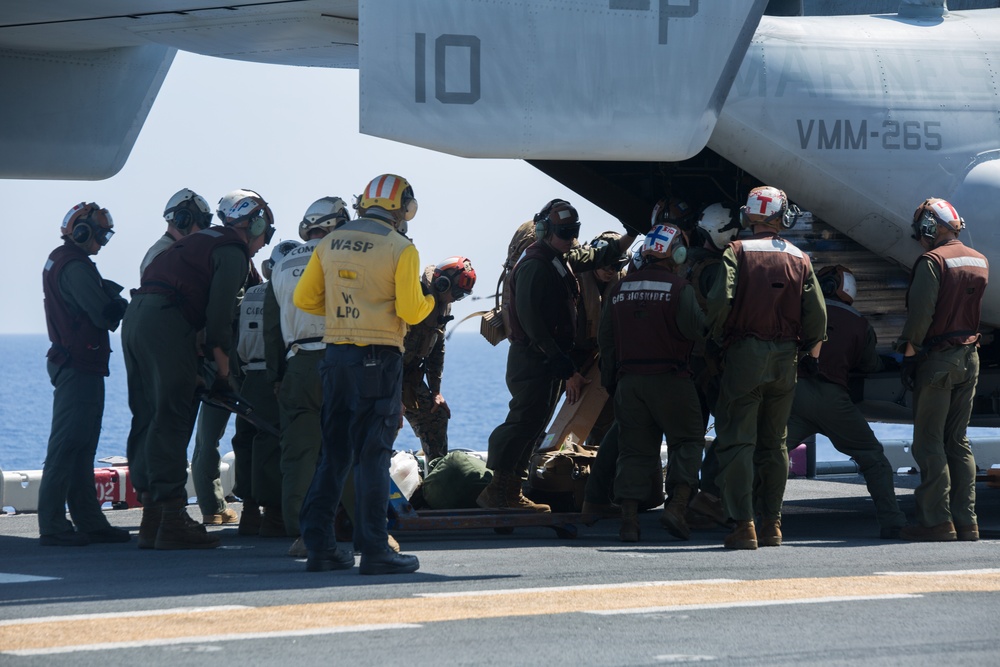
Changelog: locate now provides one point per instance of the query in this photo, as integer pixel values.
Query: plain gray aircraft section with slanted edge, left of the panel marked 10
(79, 78)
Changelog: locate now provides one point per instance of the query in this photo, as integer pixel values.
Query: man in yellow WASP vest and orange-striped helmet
(364, 278)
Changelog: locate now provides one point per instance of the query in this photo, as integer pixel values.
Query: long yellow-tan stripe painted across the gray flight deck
(291, 618)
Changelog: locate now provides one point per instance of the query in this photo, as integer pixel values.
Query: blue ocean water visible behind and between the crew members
(473, 386)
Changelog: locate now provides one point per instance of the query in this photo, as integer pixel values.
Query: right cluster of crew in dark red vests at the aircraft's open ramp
(704, 322)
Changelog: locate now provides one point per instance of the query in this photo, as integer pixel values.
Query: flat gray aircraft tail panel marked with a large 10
(541, 79)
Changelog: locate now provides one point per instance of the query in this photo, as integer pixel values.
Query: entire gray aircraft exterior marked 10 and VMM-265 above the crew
(858, 118)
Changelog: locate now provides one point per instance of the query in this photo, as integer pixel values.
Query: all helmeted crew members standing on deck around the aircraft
(343, 337)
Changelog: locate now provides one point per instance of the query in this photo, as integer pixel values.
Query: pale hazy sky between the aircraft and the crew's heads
(290, 133)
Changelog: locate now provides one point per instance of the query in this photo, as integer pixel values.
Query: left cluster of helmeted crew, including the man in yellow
(325, 315)
